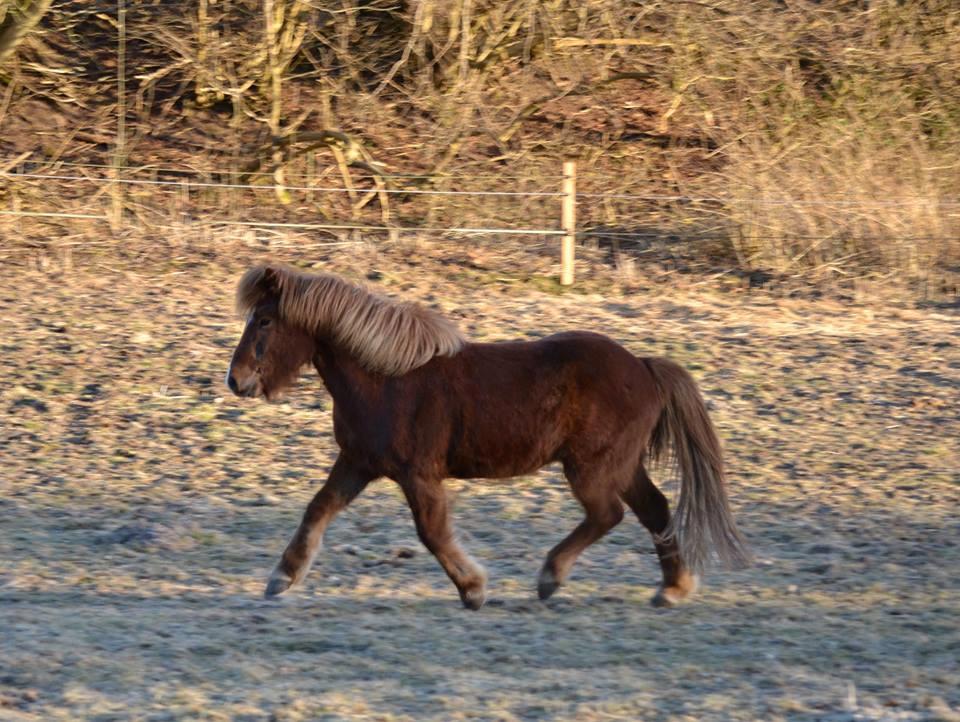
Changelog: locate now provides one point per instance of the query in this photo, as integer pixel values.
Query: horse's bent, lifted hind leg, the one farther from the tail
(604, 510)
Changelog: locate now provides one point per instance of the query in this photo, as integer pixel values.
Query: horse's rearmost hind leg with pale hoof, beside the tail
(653, 511)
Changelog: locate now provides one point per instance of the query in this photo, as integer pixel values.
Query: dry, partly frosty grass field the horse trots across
(142, 506)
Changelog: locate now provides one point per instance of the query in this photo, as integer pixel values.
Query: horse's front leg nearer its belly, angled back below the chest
(431, 514)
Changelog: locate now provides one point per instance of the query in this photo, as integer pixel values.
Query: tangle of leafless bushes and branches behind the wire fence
(827, 131)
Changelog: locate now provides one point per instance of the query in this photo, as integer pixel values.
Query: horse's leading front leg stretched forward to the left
(342, 487)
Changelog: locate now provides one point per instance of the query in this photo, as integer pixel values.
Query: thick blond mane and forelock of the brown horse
(385, 336)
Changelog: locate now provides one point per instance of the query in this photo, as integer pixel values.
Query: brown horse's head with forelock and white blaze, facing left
(271, 351)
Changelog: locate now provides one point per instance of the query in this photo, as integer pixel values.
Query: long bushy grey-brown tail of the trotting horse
(684, 435)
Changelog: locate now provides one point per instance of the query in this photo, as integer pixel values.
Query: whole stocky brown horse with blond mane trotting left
(417, 403)
